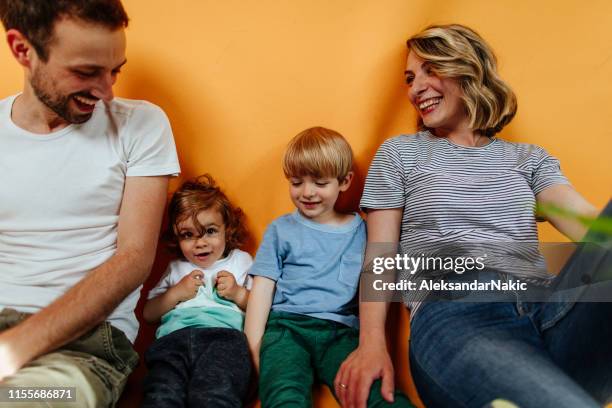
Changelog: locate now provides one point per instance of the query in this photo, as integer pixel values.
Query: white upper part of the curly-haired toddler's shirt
(237, 262)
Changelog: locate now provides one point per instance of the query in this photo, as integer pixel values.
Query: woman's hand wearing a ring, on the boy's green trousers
(357, 373)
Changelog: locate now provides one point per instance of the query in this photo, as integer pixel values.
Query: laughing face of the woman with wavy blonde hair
(437, 100)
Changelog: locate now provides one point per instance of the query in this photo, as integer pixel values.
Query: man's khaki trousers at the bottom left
(97, 364)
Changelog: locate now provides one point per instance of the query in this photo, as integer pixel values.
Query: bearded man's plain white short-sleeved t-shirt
(60, 196)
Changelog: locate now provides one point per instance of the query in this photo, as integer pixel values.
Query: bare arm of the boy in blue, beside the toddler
(258, 309)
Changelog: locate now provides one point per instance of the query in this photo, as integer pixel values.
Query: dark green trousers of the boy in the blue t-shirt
(297, 351)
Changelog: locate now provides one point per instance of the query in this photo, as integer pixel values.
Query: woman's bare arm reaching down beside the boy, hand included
(371, 359)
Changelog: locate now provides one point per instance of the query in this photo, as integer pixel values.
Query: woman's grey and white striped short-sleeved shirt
(474, 196)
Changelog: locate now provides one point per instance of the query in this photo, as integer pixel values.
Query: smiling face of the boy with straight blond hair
(315, 197)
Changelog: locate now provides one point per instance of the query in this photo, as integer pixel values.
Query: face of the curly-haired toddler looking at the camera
(204, 249)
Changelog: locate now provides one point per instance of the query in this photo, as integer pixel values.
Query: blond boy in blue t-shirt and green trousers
(307, 272)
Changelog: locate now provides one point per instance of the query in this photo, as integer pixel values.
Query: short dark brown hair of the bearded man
(36, 19)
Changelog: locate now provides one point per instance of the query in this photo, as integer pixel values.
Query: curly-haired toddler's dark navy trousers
(198, 367)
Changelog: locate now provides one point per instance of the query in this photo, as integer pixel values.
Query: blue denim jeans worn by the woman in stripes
(554, 354)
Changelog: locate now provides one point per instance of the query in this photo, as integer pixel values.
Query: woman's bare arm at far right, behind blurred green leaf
(566, 210)
